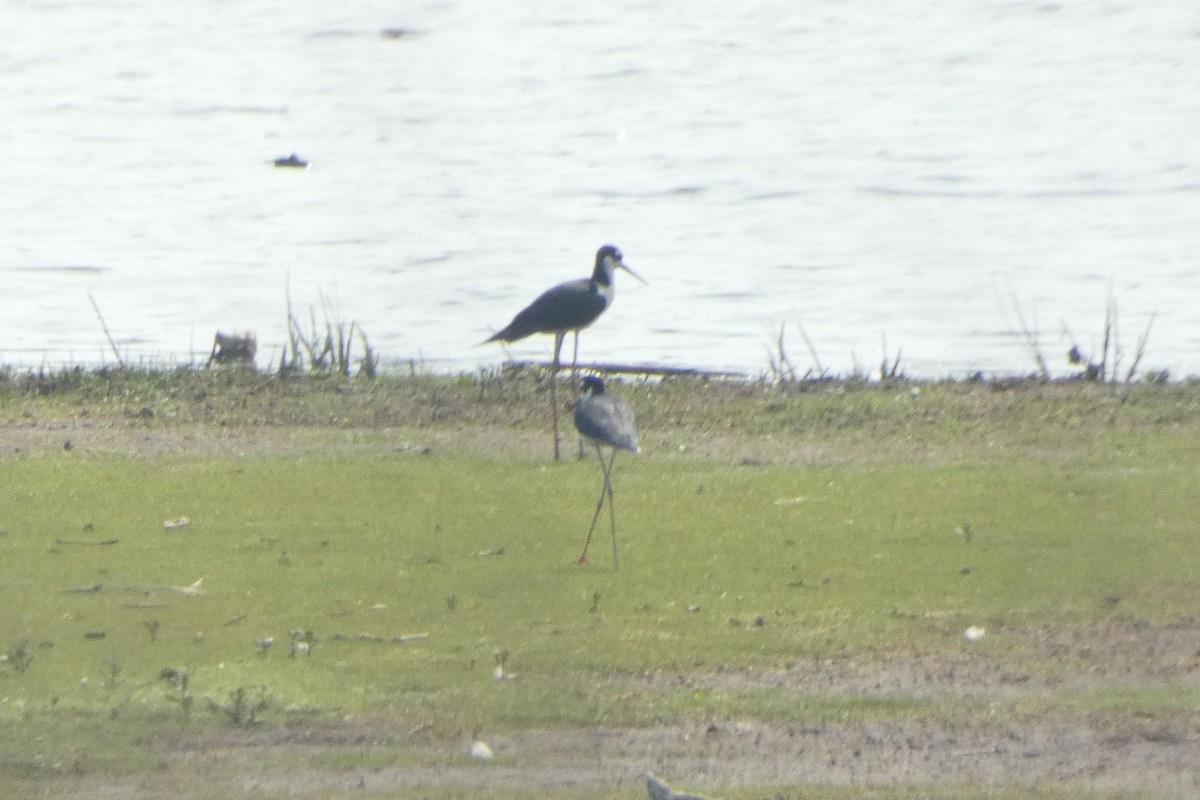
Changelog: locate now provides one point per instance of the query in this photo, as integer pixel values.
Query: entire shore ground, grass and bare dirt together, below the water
(233, 585)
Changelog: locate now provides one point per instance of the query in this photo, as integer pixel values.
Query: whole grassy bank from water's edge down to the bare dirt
(915, 520)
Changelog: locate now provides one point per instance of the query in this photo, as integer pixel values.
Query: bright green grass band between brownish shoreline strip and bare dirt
(832, 558)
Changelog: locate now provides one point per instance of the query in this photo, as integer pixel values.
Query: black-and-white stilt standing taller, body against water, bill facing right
(568, 308)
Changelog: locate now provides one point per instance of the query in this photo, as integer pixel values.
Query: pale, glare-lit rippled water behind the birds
(887, 176)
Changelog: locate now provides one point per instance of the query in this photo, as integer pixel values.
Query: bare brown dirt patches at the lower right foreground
(1153, 753)
